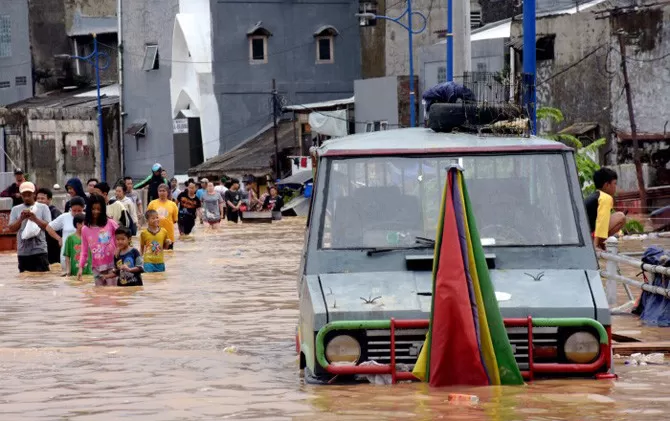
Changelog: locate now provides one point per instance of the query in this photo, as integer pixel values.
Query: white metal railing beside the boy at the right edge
(612, 274)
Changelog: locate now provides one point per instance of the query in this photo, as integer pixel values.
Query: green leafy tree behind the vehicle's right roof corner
(585, 156)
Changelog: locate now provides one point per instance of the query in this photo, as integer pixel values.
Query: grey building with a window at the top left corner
(15, 63)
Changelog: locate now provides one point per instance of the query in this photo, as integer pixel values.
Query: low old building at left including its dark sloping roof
(54, 137)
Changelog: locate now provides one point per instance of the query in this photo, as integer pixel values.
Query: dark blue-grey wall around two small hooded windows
(243, 89)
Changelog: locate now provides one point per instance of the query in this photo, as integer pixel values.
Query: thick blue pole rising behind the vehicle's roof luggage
(529, 63)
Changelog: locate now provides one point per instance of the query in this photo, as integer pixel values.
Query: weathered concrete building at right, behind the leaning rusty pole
(579, 72)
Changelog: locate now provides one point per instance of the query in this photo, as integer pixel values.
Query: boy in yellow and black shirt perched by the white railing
(602, 221)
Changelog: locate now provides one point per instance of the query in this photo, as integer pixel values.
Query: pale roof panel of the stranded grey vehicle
(426, 140)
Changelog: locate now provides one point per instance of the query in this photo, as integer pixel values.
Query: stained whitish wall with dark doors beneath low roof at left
(70, 135)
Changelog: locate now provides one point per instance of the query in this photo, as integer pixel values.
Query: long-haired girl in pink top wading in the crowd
(97, 237)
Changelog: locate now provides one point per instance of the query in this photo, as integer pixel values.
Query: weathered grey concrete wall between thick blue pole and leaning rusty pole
(583, 91)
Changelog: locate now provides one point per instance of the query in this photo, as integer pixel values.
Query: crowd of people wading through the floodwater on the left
(93, 235)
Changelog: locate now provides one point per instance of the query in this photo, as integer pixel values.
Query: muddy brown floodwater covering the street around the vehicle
(213, 338)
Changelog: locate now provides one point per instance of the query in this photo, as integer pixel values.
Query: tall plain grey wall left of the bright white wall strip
(146, 95)
